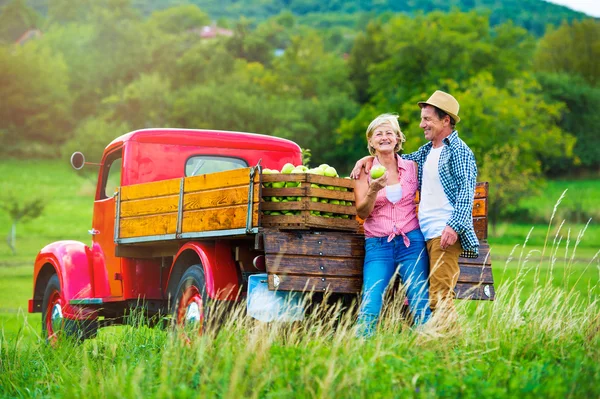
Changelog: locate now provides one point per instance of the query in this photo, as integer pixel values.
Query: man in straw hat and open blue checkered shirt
(447, 177)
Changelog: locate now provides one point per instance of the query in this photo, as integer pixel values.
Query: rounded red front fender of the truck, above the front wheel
(72, 262)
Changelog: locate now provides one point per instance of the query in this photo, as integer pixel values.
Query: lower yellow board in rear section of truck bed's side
(233, 217)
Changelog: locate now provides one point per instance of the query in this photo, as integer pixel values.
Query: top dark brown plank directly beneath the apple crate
(307, 243)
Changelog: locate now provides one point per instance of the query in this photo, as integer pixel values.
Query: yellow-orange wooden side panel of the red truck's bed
(171, 208)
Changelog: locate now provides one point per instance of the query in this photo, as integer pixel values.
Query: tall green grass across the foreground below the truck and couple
(541, 343)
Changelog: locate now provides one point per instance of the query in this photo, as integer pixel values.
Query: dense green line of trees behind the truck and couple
(101, 68)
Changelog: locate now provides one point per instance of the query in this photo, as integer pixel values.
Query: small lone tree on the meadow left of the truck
(20, 210)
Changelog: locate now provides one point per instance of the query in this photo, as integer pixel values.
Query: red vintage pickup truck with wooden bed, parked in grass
(183, 218)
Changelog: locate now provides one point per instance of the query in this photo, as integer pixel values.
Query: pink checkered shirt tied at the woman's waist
(391, 220)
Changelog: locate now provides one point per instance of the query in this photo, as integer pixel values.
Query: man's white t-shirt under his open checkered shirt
(434, 208)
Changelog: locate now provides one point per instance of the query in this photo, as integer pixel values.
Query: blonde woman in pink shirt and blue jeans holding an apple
(394, 243)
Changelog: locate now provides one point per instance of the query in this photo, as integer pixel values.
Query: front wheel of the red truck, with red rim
(54, 325)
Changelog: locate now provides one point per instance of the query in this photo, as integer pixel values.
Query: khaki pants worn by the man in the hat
(443, 275)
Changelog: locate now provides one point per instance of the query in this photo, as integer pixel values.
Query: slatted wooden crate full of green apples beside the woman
(298, 197)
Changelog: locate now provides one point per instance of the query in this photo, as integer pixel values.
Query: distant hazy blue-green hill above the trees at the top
(533, 15)
